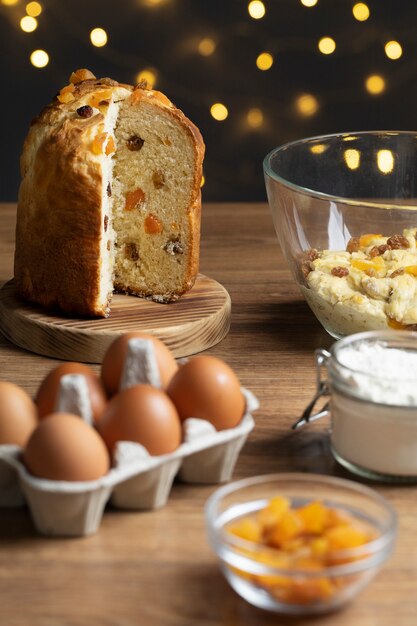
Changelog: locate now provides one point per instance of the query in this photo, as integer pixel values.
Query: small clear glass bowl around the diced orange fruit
(262, 584)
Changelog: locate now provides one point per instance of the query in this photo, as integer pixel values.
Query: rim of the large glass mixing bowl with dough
(268, 171)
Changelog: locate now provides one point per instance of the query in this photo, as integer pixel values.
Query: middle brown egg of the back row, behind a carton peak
(48, 389)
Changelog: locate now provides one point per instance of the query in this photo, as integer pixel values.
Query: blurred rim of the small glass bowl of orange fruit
(377, 549)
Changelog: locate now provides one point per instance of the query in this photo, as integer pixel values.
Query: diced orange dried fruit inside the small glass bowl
(301, 543)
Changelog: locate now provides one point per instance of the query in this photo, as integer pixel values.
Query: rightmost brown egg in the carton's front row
(208, 388)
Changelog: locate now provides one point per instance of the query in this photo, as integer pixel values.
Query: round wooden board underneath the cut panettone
(195, 322)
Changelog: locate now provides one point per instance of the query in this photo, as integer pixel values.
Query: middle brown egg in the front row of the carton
(143, 414)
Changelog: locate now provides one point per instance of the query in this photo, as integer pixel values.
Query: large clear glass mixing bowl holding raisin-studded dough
(324, 191)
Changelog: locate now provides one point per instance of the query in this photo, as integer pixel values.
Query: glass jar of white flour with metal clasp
(373, 403)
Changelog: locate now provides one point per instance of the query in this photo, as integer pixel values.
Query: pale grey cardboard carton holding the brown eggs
(137, 481)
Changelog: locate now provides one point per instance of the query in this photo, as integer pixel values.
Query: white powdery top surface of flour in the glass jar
(380, 373)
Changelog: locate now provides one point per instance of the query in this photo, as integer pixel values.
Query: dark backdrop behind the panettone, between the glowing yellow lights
(165, 36)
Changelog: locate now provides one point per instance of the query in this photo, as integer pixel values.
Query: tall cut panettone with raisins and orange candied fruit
(110, 198)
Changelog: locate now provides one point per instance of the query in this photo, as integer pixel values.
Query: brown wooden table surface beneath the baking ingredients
(156, 568)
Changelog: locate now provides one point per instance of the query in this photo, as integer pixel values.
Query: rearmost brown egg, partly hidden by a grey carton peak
(113, 362)
